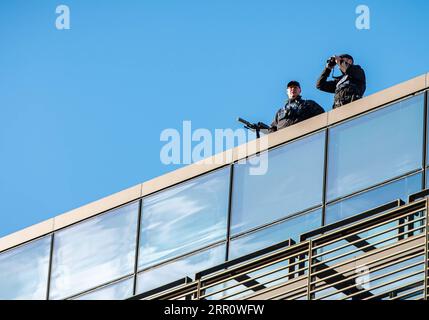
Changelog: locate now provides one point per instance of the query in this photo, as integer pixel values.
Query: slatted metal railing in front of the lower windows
(383, 257)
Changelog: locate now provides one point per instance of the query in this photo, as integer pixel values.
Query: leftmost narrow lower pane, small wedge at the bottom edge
(117, 291)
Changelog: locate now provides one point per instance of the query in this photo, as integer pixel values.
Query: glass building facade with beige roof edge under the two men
(322, 172)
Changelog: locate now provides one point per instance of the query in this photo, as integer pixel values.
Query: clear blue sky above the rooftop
(82, 109)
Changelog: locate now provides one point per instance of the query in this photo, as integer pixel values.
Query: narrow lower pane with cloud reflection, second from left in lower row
(179, 269)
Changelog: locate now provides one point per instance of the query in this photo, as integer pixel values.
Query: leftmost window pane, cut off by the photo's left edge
(24, 271)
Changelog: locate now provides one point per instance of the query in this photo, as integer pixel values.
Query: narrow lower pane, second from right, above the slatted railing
(290, 229)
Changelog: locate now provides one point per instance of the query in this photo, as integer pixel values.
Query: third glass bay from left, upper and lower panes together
(178, 224)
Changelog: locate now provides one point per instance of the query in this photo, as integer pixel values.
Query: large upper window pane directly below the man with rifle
(293, 183)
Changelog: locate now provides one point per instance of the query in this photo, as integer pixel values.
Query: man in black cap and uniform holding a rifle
(296, 109)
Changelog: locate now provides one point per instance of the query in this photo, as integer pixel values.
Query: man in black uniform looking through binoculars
(348, 87)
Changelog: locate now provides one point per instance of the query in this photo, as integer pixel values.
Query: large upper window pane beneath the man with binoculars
(376, 147)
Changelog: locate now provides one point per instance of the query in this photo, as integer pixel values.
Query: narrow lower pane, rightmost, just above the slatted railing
(400, 189)
